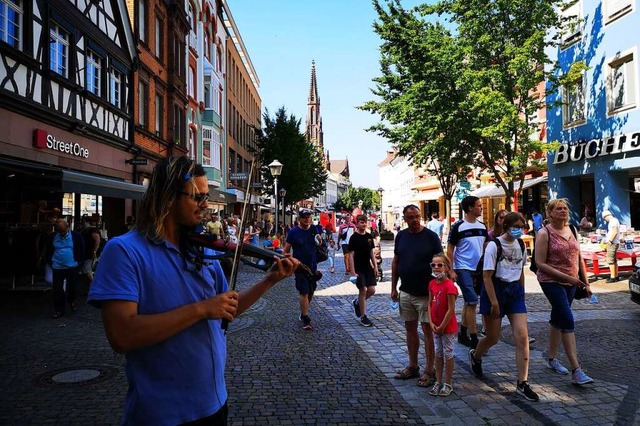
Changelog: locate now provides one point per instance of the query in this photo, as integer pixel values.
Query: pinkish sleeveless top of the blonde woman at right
(562, 255)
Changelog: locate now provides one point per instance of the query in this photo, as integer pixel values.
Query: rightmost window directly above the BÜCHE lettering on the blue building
(622, 84)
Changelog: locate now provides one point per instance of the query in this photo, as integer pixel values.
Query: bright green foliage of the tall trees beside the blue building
(449, 100)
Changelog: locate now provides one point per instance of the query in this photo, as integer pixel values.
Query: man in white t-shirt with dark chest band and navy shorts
(466, 244)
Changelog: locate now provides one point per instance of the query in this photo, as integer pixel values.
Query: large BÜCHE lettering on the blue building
(585, 150)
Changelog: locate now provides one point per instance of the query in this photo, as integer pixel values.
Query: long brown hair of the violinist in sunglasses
(170, 176)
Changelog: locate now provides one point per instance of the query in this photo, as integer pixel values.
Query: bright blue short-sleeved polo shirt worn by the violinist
(182, 378)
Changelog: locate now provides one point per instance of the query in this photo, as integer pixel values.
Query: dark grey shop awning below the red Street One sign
(83, 183)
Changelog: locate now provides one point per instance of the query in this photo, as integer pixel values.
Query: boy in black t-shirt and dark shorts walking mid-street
(361, 263)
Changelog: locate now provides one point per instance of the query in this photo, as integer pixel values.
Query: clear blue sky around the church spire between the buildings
(282, 37)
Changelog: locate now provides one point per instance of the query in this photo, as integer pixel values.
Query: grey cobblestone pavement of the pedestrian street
(64, 372)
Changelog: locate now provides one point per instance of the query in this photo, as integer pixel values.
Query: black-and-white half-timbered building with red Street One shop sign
(66, 118)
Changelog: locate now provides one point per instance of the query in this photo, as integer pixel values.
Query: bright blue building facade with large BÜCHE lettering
(596, 116)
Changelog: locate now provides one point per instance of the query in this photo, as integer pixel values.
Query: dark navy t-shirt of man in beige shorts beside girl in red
(414, 253)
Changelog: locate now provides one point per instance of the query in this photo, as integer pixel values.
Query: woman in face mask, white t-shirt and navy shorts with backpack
(503, 294)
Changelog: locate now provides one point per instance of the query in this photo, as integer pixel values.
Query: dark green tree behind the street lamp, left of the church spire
(303, 172)
